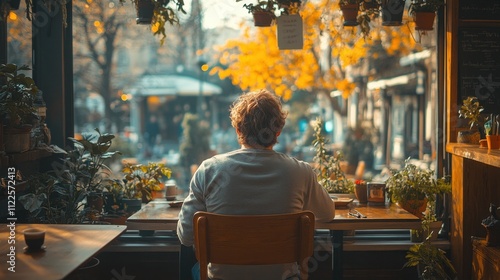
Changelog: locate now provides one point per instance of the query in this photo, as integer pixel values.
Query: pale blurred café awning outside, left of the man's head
(165, 84)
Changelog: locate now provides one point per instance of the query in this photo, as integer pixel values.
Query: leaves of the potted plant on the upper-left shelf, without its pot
(17, 96)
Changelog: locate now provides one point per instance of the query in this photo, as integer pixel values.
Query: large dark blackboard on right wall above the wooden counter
(479, 66)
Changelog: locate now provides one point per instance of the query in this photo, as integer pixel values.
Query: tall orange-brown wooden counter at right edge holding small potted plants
(475, 184)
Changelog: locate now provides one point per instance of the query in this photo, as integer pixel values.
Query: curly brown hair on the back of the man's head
(258, 117)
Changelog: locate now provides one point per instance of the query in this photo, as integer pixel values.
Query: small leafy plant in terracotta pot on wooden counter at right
(471, 109)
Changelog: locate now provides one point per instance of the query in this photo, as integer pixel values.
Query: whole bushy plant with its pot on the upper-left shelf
(17, 109)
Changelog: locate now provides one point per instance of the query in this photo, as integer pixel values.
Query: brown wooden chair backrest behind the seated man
(254, 239)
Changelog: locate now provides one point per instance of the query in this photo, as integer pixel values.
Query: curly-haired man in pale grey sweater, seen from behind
(254, 180)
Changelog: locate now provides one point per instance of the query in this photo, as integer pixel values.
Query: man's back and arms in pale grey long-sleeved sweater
(254, 182)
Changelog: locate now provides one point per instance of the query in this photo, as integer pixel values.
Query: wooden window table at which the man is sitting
(158, 215)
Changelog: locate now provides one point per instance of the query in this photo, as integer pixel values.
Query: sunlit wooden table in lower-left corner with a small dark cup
(67, 248)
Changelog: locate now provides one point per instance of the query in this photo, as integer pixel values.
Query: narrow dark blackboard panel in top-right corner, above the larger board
(479, 9)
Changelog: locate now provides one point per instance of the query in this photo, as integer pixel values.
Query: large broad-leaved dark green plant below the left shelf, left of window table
(59, 195)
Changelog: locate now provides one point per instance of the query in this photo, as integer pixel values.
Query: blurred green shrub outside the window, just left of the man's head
(195, 143)
